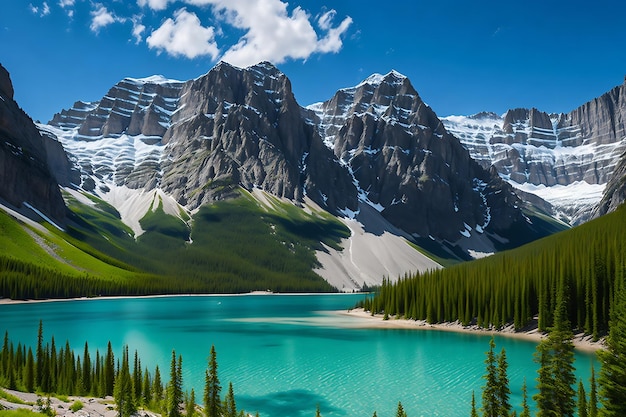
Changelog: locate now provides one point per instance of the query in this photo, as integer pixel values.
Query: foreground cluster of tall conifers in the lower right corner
(559, 394)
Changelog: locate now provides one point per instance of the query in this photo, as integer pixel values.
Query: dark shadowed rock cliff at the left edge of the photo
(26, 159)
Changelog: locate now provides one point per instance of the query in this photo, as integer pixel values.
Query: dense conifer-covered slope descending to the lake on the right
(517, 285)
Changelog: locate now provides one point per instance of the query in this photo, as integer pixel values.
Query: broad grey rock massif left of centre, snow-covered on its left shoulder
(197, 140)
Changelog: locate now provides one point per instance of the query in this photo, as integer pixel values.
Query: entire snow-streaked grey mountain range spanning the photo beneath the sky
(402, 181)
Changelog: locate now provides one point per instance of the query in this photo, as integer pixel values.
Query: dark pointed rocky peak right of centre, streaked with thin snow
(405, 163)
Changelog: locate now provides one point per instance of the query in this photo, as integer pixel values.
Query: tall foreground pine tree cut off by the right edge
(612, 379)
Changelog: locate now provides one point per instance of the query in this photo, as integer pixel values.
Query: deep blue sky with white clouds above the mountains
(462, 57)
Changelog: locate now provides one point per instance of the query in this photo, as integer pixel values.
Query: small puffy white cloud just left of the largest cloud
(184, 36)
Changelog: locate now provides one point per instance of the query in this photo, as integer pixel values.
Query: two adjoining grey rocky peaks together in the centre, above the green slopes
(376, 144)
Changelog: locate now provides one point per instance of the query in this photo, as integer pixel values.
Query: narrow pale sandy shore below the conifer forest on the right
(364, 319)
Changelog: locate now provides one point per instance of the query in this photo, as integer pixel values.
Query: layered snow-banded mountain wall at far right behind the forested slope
(567, 160)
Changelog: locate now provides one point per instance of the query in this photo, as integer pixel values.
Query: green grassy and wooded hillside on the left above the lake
(232, 246)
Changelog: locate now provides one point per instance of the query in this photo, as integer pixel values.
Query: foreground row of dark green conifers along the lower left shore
(60, 371)
